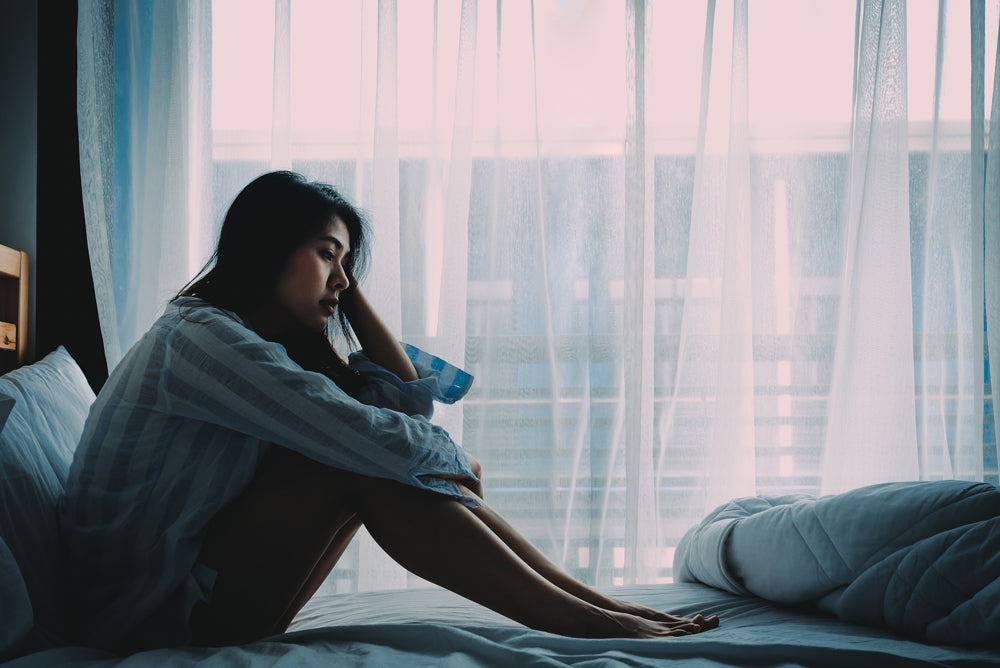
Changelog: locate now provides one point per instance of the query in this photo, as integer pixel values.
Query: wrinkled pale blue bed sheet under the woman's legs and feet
(433, 627)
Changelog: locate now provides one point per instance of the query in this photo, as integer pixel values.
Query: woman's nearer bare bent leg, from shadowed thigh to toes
(280, 538)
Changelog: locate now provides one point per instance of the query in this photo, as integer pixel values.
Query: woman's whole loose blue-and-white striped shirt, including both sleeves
(178, 431)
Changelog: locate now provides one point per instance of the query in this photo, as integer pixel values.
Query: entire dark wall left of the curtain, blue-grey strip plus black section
(41, 210)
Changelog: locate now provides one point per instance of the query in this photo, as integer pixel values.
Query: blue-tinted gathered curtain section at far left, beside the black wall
(142, 109)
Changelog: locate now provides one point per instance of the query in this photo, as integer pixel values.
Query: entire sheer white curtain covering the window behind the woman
(690, 251)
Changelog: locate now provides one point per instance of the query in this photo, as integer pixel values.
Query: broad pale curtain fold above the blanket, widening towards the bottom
(871, 425)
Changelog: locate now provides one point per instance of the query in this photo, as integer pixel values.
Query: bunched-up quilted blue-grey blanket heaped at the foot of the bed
(922, 558)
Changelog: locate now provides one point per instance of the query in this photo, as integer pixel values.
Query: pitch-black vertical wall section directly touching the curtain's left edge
(66, 312)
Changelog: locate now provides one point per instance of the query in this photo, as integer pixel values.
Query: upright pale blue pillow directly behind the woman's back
(51, 402)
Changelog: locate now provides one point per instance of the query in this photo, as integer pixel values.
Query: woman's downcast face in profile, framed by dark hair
(309, 287)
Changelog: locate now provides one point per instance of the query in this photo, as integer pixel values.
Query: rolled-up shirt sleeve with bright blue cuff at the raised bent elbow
(438, 381)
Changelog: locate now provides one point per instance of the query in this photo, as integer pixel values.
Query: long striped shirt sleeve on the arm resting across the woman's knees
(219, 371)
